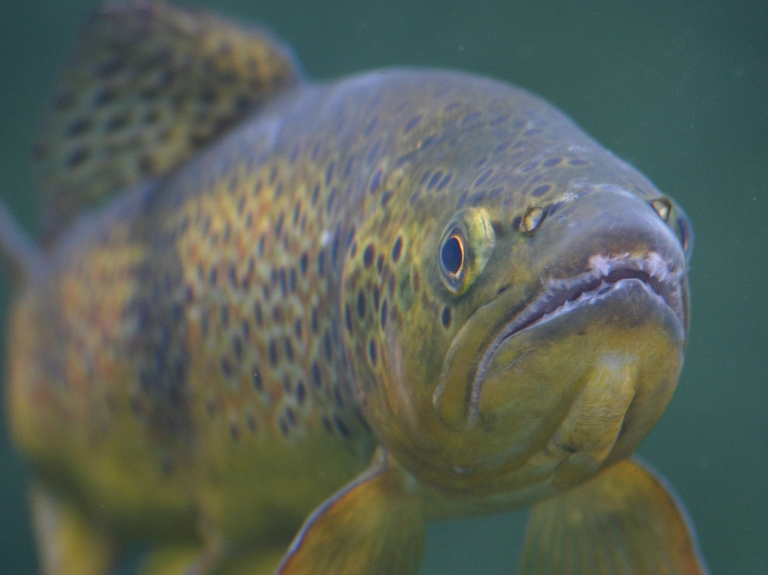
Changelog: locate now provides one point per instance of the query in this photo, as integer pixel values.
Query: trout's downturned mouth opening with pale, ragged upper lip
(607, 275)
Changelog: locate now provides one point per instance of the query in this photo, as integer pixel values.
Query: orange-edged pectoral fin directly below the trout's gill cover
(373, 526)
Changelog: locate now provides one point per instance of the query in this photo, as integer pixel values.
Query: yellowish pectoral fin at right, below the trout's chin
(624, 521)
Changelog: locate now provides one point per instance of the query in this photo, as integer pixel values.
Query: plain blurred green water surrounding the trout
(680, 89)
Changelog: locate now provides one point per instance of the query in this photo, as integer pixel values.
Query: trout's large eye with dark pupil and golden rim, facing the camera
(466, 245)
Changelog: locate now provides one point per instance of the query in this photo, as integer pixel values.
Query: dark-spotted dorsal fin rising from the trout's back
(150, 84)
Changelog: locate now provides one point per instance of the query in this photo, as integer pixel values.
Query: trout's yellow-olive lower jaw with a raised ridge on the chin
(582, 388)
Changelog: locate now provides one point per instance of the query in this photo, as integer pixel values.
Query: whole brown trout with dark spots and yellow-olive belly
(275, 326)
